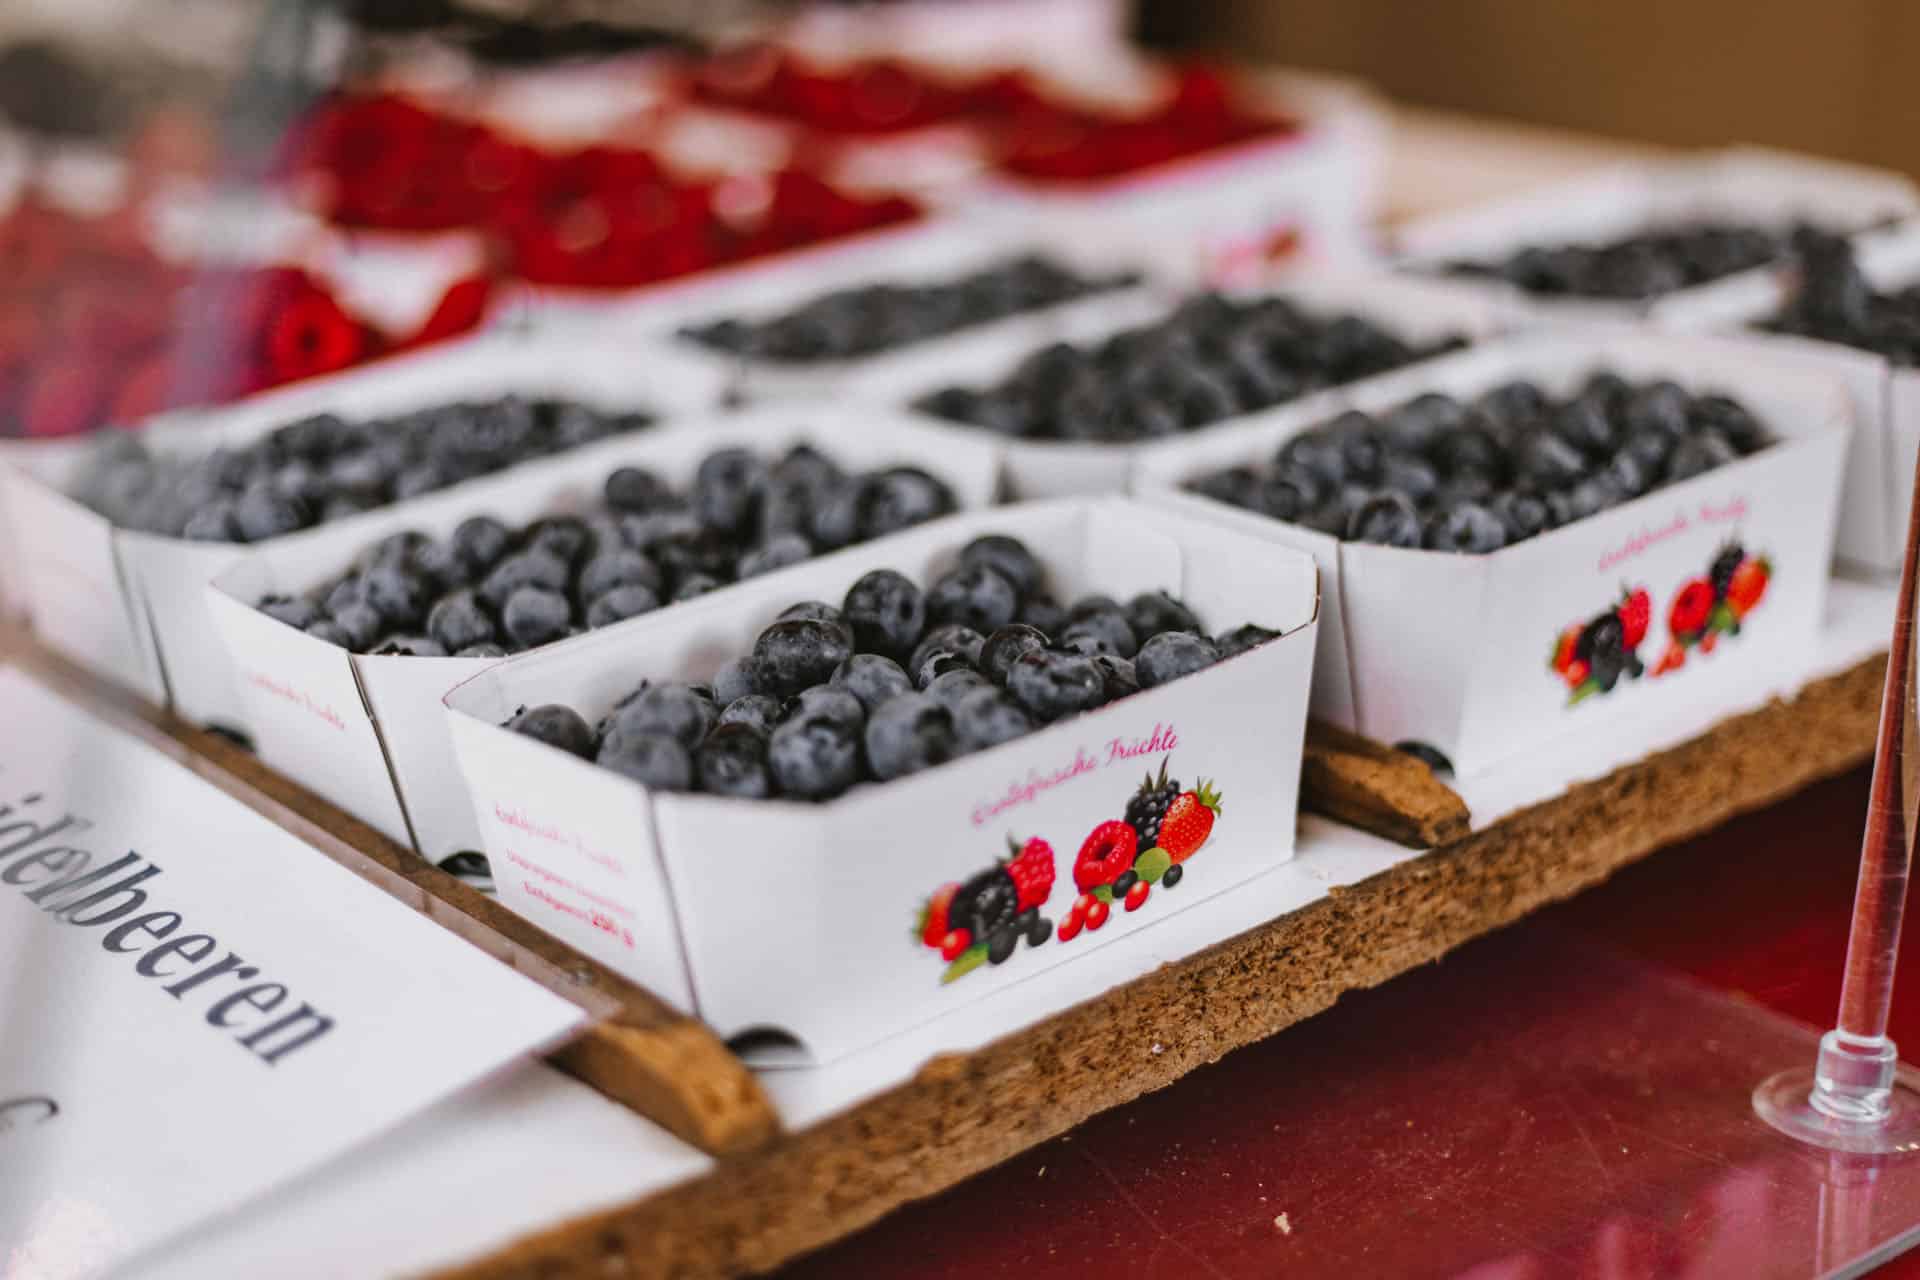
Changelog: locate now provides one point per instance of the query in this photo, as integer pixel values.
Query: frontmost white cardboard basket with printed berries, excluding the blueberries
(807, 920)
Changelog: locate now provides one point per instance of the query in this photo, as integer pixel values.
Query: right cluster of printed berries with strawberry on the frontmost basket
(1122, 865)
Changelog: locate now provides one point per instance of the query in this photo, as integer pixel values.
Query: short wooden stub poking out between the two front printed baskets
(1378, 790)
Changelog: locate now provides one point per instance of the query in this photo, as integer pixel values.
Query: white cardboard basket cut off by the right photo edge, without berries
(1886, 396)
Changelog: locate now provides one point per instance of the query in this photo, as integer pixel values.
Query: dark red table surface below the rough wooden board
(1748, 916)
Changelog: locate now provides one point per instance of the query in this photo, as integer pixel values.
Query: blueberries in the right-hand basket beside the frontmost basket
(1479, 475)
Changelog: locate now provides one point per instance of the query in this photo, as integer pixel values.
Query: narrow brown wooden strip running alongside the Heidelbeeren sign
(638, 1051)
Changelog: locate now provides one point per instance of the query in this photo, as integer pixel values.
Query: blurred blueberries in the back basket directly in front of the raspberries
(880, 318)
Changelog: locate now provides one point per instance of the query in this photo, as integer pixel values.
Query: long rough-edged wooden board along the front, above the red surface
(809, 1189)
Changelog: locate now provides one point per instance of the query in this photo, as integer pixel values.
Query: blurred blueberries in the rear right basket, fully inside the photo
(1635, 268)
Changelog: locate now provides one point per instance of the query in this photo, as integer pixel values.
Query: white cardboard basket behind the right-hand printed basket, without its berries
(1412, 310)
